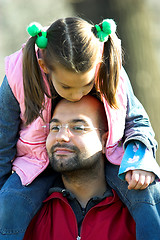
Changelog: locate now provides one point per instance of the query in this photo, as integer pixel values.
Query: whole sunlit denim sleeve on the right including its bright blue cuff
(139, 142)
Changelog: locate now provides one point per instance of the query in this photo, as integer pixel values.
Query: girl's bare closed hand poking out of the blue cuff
(139, 179)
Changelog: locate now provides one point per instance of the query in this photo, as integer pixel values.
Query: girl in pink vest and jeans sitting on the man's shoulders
(69, 59)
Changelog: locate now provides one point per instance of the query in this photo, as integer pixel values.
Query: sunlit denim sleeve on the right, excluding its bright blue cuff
(137, 124)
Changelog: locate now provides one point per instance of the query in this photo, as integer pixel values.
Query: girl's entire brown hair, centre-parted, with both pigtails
(73, 45)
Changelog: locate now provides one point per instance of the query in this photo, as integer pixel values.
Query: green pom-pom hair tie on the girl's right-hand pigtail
(108, 27)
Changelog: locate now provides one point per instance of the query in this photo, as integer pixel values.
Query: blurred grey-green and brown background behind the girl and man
(138, 27)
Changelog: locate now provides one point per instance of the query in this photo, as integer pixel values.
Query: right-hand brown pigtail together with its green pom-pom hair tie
(107, 77)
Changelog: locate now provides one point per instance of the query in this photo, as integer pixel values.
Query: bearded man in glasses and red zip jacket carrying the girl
(81, 204)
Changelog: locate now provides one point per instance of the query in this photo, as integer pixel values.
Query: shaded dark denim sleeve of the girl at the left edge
(9, 129)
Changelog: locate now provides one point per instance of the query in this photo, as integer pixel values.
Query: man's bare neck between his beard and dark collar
(85, 185)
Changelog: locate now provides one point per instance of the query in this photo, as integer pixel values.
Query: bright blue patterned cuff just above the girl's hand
(137, 156)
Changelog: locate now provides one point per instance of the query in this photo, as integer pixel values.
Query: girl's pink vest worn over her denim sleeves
(31, 158)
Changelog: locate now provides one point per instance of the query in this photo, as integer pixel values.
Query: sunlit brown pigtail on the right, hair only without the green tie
(109, 72)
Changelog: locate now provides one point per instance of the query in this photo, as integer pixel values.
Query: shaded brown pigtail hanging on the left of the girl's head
(33, 83)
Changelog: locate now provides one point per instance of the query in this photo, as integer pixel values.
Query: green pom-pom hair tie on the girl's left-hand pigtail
(35, 29)
